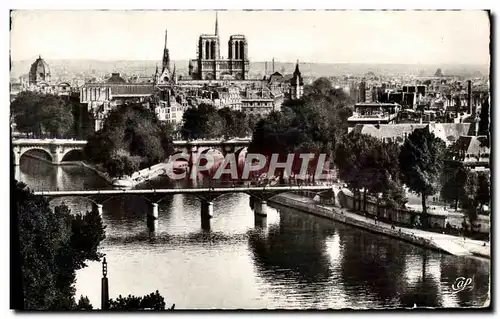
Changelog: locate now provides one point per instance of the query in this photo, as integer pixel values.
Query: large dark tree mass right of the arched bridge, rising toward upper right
(313, 124)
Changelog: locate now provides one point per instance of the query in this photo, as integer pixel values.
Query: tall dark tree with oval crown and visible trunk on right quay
(420, 162)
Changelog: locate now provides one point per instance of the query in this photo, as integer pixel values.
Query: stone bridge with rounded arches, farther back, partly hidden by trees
(58, 150)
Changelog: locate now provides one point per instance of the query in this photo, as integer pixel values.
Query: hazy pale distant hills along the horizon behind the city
(77, 68)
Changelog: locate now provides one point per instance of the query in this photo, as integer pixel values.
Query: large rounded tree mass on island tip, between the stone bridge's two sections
(132, 138)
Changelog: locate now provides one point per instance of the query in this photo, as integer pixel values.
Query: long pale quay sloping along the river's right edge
(446, 243)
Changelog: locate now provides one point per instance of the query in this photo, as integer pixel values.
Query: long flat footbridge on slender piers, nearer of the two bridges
(258, 197)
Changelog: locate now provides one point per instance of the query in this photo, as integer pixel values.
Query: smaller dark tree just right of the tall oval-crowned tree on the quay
(453, 179)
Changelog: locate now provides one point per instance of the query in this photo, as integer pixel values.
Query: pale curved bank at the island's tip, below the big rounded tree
(133, 180)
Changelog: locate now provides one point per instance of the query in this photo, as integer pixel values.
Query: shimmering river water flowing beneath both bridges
(290, 260)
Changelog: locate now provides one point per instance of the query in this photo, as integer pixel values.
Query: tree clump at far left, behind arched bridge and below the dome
(42, 115)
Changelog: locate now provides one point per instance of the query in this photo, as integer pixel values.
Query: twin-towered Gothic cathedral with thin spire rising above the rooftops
(210, 66)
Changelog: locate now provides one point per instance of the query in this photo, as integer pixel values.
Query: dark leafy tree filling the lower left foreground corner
(54, 245)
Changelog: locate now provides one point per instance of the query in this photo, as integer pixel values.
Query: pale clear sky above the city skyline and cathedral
(408, 37)
